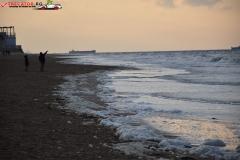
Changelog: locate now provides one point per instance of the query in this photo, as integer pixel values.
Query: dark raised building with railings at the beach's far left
(8, 40)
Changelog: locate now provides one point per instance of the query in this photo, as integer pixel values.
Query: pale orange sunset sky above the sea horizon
(126, 25)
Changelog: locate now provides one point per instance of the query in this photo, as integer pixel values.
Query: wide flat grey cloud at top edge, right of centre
(208, 3)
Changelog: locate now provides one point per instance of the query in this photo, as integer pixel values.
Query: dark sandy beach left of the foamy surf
(31, 125)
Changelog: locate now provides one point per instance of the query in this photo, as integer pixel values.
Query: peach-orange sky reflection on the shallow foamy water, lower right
(195, 131)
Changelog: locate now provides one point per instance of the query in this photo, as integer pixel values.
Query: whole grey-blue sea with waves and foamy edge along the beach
(182, 102)
